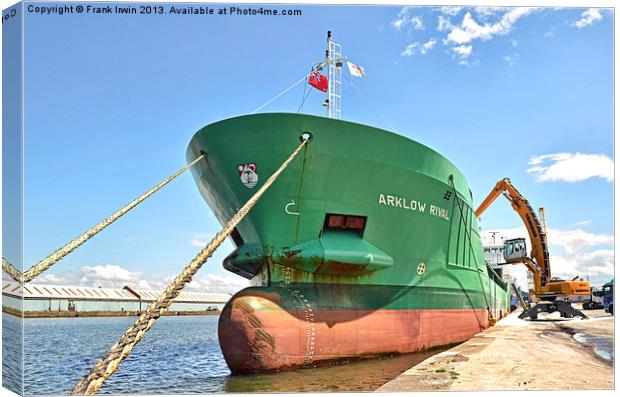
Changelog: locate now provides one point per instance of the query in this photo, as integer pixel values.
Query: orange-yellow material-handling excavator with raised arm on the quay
(554, 291)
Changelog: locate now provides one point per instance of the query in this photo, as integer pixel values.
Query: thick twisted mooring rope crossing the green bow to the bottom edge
(105, 367)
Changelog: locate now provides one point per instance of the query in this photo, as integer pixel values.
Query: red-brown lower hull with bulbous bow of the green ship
(257, 335)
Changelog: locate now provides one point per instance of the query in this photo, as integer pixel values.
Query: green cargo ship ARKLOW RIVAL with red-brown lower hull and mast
(367, 245)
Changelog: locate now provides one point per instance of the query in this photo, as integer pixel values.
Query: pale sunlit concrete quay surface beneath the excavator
(548, 354)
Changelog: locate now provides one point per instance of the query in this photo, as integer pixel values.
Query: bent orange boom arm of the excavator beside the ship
(541, 268)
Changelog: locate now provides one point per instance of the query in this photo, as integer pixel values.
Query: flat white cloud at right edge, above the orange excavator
(571, 167)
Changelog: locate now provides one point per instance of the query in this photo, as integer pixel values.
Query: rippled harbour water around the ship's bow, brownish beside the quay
(178, 355)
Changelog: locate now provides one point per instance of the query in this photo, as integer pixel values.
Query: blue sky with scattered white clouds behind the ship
(112, 101)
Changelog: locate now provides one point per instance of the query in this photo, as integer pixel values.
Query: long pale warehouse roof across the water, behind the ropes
(45, 291)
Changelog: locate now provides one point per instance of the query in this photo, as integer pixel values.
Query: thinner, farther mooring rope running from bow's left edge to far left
(60, 253)
